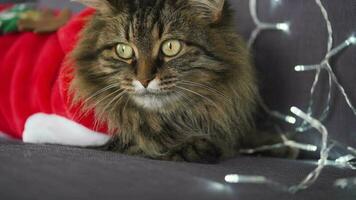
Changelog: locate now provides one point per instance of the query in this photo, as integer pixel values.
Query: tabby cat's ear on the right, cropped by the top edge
(209, 9)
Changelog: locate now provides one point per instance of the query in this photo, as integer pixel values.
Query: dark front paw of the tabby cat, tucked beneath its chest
(195, 149)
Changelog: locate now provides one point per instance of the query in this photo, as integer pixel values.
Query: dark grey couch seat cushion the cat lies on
(56, 172)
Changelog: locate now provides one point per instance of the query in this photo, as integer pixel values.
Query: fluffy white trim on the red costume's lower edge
(52, 129)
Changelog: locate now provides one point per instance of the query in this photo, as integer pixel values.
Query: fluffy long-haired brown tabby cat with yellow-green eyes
(171, 78)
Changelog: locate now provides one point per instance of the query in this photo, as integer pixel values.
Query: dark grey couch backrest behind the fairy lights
(277, 53)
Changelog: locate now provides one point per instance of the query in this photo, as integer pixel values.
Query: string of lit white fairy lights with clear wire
(310, 120)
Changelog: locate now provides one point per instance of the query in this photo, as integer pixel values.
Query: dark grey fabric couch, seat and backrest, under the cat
(57, 172)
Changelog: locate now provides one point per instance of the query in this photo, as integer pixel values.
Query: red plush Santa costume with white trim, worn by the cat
(34, 78)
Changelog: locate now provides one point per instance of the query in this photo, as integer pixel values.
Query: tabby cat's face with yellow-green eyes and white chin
(157, 53)
